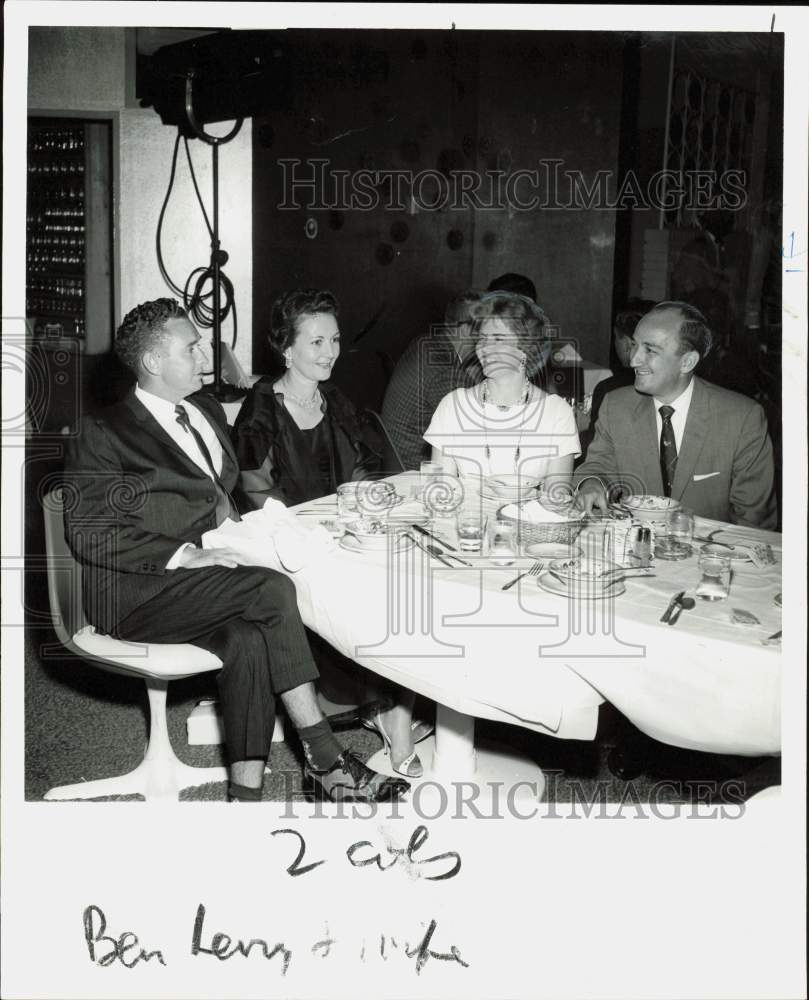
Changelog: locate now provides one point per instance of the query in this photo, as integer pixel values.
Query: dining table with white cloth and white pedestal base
(534, 655)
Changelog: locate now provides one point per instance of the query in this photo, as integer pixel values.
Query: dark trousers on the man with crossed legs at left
(248, 616)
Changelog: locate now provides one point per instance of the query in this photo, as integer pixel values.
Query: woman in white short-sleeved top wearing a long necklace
(506, 424)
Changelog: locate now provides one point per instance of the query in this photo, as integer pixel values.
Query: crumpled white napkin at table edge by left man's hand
(272, 536)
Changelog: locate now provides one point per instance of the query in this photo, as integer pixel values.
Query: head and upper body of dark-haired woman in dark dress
(298, 437)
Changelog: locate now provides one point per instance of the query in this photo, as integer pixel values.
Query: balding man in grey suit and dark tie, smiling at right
(676, 435)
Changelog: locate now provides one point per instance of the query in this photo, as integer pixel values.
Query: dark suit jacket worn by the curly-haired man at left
(133, 497)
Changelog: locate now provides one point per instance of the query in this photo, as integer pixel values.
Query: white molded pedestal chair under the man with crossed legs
(161, 775)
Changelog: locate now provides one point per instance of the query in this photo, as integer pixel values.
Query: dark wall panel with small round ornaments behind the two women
(441, 102)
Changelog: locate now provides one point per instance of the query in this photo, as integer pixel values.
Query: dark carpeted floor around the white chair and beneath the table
(83, 723)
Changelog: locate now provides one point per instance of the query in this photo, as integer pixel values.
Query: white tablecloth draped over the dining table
(542, 661)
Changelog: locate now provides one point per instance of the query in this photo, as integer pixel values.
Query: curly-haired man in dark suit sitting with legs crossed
(145, 480)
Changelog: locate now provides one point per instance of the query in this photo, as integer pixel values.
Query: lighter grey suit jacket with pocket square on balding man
(725, 462)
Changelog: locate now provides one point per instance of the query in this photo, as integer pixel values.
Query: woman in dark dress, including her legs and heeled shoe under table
(297, 439)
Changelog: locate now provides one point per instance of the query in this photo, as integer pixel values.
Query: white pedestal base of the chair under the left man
(160, 776)
